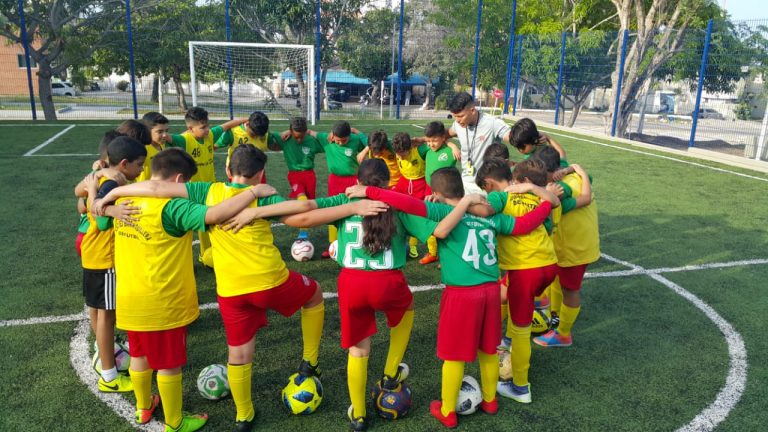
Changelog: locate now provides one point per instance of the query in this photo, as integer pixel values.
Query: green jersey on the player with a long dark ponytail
(351, 253)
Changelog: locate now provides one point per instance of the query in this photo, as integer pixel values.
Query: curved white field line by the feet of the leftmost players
(79, 357)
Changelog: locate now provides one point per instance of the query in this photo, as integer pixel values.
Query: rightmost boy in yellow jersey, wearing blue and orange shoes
(577, 244)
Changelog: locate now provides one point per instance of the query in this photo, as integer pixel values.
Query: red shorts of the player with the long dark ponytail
(362, 293)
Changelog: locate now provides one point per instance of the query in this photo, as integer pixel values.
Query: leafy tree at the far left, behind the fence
(65, 32)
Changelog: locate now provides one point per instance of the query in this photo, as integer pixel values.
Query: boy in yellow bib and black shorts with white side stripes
(126, 156)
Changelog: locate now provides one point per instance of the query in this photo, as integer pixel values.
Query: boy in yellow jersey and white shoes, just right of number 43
(529, 260)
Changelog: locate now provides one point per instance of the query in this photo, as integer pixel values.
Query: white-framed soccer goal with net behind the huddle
(235, 79)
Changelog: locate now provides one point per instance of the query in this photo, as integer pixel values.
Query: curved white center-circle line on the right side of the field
(736, 381)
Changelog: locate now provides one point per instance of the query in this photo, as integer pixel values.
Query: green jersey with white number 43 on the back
(468, 254)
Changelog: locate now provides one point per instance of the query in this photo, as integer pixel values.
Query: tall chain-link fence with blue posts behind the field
(399, 60)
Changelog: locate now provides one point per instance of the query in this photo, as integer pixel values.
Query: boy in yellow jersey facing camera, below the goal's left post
(198, 140)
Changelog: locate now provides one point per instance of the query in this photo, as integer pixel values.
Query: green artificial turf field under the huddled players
(671, 333)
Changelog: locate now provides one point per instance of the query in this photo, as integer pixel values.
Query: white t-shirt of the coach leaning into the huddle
(475, 140)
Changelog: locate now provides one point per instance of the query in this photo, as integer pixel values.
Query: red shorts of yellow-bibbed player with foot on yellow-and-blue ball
(245, 314)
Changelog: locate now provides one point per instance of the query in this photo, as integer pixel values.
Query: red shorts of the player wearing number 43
(470, 320)
